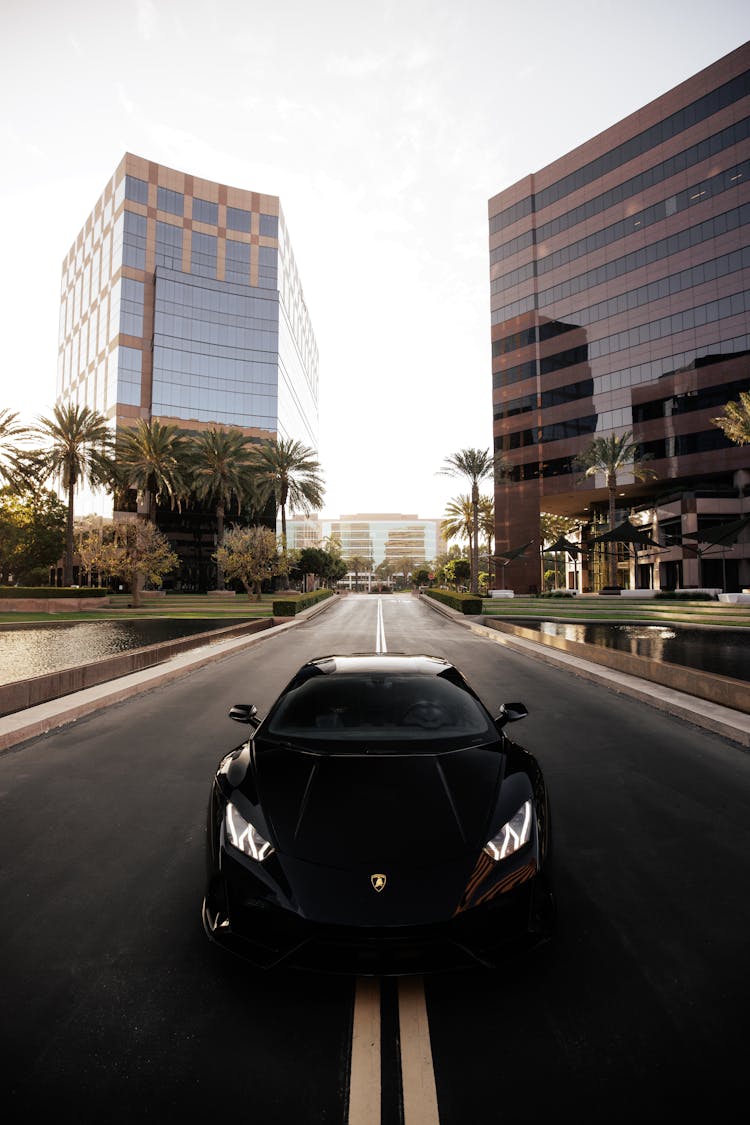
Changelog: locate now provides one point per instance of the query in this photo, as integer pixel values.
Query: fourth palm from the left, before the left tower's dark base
(220, 461)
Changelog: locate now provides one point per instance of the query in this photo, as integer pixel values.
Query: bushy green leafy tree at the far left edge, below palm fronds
(32, 536)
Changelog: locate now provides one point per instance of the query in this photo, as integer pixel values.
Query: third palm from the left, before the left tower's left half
(155, 458)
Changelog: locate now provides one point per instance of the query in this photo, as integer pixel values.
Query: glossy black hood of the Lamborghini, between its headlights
(339, 811)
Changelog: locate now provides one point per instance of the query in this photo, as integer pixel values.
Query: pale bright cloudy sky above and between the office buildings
(384, 128)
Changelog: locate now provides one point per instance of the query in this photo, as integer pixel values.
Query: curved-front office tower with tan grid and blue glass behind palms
(182, 302)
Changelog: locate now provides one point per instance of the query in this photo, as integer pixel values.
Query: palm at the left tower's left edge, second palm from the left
(78, 448)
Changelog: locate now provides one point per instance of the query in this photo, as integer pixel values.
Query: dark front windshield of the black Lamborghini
(379, 706)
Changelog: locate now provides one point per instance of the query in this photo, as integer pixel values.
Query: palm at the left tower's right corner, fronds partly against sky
(291, 473)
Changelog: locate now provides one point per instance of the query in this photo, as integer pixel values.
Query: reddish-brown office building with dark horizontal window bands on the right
(620, 303)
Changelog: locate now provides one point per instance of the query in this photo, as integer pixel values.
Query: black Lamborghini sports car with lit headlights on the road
(378, 822)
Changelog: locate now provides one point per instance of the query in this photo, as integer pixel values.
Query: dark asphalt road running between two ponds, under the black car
(116, 1007)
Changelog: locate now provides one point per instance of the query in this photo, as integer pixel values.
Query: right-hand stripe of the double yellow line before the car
(418, 1072)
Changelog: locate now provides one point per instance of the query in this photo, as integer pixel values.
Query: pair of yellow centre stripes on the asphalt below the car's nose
(420, 1097)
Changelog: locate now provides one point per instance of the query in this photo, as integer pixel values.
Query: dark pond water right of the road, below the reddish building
(722, 652)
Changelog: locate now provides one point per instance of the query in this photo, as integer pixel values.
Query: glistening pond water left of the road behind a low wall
(33, 651)
